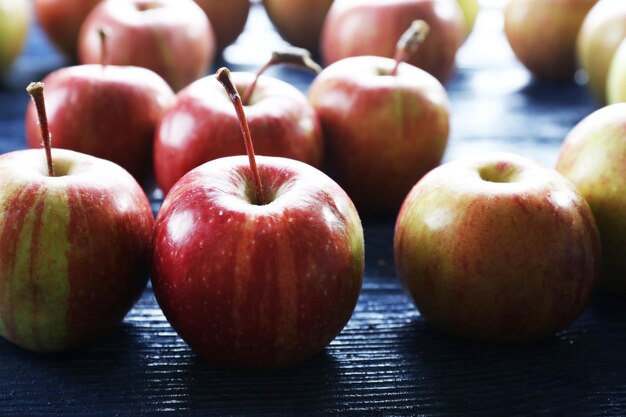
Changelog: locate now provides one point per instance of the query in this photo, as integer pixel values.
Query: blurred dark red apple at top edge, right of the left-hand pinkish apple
(227, 17)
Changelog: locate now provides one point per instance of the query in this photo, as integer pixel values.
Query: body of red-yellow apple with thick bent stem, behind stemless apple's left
(382, 132)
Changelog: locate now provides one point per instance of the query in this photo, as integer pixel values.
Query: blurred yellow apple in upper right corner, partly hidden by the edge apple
(601, 33)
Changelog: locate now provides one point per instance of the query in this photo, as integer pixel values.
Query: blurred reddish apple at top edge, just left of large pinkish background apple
(299, 22)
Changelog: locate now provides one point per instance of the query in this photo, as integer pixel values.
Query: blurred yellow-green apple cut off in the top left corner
(15, 17)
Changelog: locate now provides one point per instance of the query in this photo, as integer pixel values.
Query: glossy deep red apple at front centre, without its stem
(257, 286)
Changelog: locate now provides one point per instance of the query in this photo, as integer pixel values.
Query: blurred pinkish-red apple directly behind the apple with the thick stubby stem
(345, 31)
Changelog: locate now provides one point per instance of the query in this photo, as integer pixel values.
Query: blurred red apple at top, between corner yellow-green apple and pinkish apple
(61, 21)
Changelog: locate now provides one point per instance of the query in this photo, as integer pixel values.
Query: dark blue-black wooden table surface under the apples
(387, 361)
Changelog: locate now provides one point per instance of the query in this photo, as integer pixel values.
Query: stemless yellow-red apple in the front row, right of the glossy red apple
(470, 246)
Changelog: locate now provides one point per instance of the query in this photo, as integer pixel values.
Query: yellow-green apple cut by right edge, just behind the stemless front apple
(593, 157)
